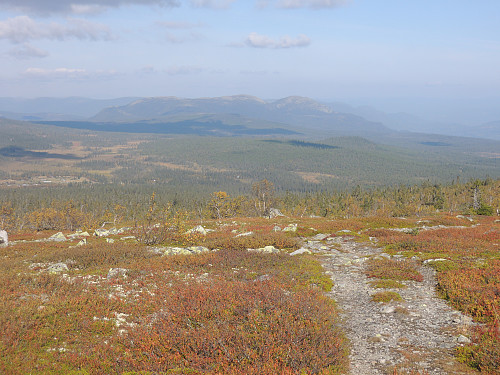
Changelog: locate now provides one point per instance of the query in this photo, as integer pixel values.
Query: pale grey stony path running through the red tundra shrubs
(418, 333)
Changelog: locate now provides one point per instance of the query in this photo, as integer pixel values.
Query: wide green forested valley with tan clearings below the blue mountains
(32, 153)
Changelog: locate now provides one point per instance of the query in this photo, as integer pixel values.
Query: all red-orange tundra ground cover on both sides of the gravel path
(121, 308)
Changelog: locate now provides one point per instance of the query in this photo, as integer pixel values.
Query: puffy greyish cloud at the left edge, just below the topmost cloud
(22, 29)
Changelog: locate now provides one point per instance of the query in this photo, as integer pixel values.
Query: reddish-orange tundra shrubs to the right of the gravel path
(467, 261)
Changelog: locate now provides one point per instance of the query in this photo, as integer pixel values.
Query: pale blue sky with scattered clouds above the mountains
(393, 54)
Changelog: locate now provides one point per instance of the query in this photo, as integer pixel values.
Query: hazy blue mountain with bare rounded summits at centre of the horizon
(293, 113)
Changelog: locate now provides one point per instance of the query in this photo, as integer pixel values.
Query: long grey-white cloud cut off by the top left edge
(76, 6)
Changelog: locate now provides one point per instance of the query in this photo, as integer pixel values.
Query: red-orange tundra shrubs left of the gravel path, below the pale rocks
(223, 312)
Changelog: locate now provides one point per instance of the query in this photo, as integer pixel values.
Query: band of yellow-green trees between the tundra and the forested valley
(92, 205)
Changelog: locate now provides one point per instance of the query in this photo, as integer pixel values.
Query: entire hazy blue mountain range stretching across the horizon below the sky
(229, 115)
